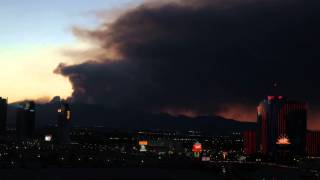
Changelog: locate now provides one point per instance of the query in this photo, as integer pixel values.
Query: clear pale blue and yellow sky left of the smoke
(32, 36)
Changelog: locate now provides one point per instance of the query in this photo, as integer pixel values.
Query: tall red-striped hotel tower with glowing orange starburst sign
(282, 122)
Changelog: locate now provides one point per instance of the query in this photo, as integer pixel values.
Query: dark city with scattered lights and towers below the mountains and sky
(279, 139)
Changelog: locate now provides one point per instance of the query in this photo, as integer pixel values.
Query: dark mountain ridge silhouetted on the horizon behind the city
(95, 115)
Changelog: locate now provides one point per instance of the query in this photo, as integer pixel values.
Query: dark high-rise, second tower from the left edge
(25, 122)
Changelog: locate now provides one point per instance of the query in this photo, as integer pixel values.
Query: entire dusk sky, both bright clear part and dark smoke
(189, 57)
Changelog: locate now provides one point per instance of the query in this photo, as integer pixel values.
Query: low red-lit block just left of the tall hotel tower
(249, 142)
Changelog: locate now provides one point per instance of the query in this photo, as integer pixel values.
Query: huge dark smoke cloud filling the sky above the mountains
(204, 57)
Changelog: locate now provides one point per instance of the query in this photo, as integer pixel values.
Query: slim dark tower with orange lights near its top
(64, 123)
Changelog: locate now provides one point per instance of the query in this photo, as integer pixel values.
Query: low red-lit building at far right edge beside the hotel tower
(313, 143)
